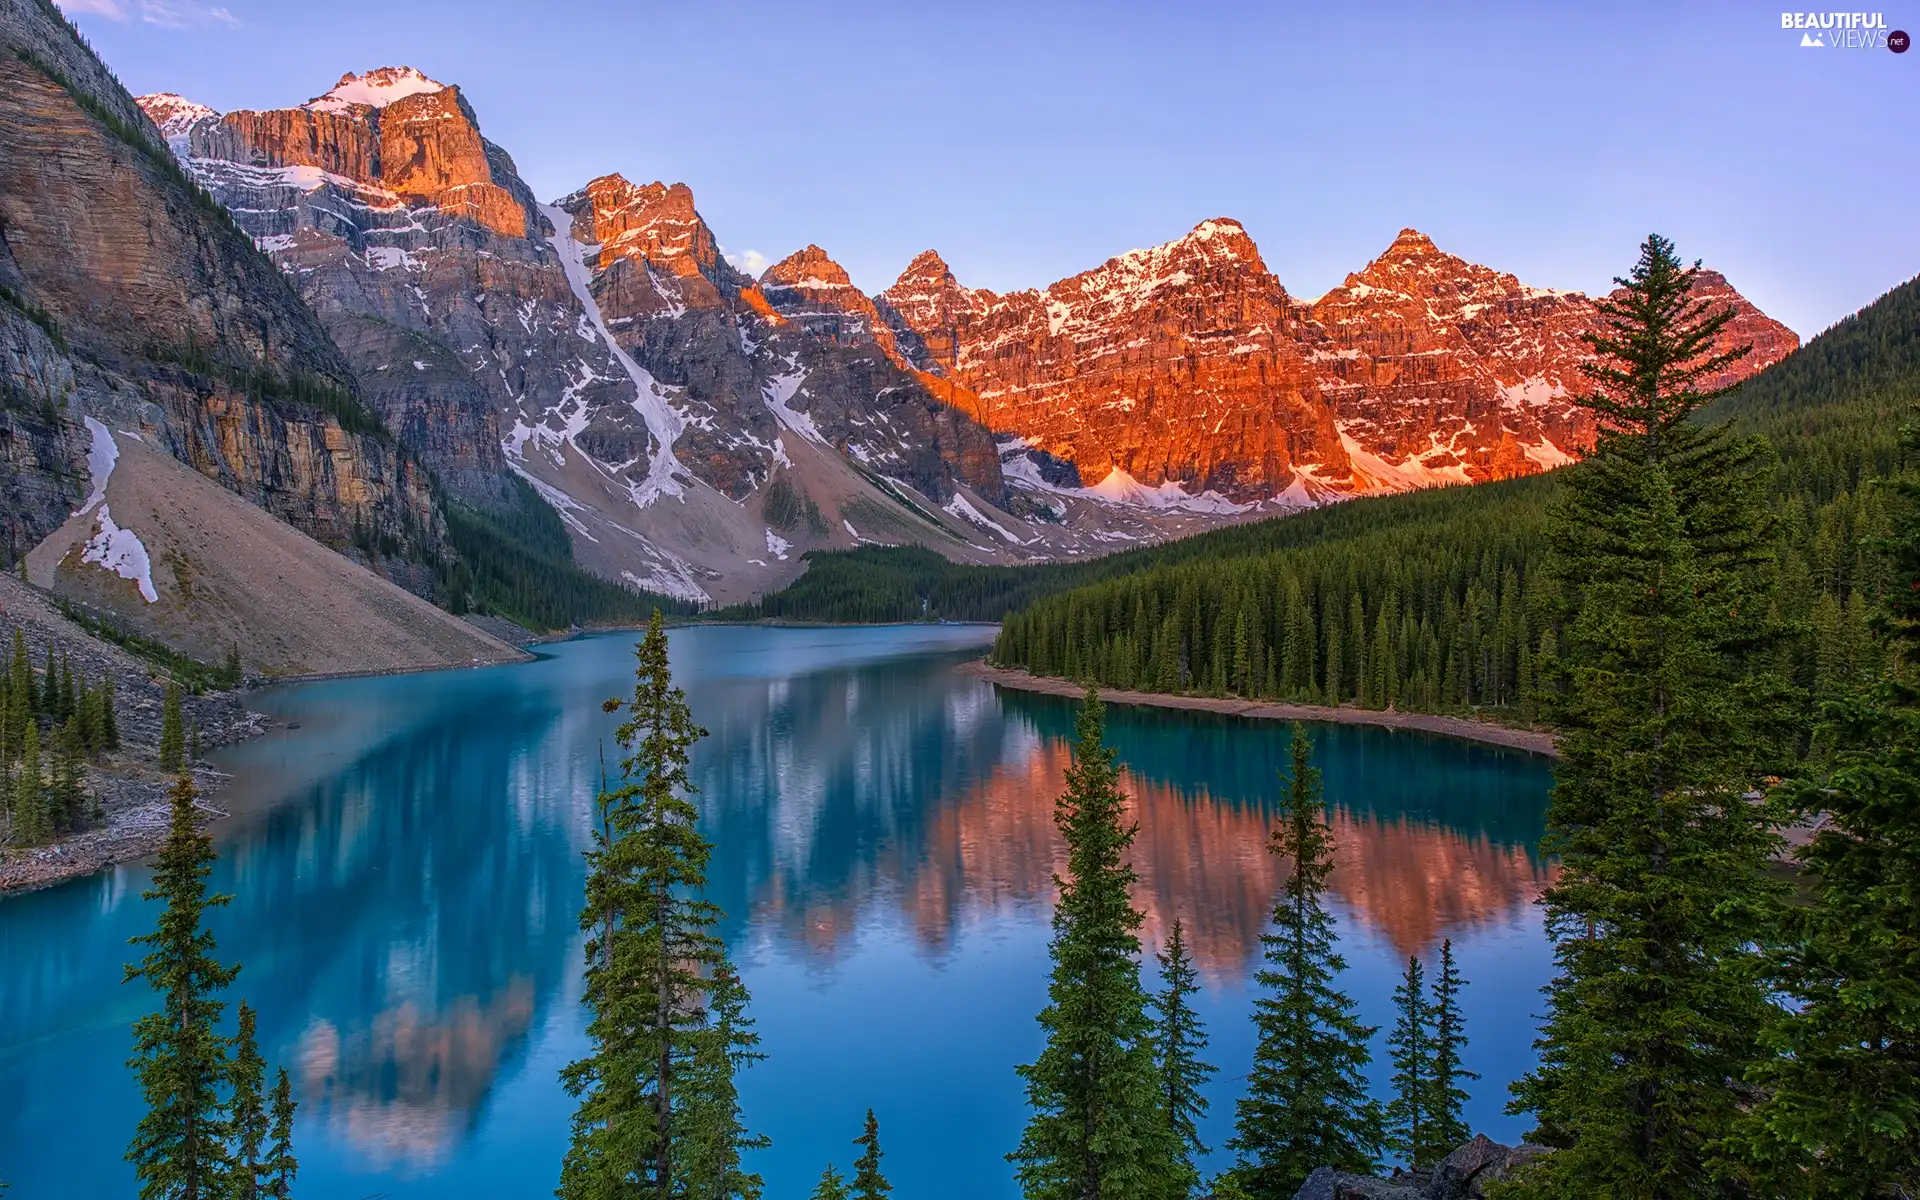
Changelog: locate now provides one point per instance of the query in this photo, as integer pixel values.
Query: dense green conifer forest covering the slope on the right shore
(1437, 602)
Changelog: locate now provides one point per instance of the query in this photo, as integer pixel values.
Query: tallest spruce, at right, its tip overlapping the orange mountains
(1660, 550)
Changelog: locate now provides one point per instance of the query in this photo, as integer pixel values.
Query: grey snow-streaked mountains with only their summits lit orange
(696, 429)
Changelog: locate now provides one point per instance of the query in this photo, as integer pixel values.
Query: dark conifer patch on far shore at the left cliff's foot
(519, 564)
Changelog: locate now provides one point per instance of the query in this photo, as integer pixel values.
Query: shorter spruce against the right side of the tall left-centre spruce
(711, 1130)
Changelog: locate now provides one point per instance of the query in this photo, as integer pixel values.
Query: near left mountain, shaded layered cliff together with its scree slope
(137, 320)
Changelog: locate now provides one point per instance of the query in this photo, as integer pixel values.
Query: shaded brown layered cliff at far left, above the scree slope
(130, 297)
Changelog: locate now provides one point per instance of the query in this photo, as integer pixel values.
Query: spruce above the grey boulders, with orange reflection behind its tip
(1307, 1099)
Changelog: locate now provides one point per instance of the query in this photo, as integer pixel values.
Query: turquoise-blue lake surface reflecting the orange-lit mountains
(408, 875)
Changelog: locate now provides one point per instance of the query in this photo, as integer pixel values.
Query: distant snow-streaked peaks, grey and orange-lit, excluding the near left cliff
(700, 431)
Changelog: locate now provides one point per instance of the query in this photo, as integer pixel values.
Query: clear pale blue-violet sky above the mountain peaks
(1030, 141)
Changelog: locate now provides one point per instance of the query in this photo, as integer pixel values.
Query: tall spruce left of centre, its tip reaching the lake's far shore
(667, 1020)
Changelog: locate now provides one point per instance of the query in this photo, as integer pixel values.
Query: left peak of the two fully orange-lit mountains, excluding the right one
(1168, 364)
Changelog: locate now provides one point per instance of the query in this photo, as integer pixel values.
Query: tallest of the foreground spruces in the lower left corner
(180, 1059)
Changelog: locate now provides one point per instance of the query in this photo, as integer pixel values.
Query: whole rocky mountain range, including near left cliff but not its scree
(464, 347)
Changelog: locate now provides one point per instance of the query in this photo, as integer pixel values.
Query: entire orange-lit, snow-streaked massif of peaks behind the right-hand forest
(1191, 364)
